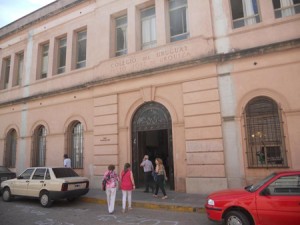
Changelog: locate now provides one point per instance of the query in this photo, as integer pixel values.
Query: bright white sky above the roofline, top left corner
(11, 10)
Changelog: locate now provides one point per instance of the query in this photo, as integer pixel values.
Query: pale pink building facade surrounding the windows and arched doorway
(204, 82)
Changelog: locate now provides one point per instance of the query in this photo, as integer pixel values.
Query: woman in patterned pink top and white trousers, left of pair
(111, 187)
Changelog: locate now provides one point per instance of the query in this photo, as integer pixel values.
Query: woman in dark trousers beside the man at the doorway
(161, 178)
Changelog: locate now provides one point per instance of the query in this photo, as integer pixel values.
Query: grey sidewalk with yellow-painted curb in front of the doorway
(176, 201)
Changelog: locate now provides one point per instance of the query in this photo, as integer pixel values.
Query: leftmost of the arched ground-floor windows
(10, 149)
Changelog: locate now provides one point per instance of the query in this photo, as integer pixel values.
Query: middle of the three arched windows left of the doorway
(39, 147)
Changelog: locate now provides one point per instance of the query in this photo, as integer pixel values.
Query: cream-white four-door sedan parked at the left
(47, 184)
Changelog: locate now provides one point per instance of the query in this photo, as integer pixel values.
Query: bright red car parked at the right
(274, 200)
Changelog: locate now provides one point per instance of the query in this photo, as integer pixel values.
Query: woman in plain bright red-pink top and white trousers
(127, 185)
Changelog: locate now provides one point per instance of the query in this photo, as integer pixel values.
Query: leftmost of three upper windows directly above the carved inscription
(121, 35)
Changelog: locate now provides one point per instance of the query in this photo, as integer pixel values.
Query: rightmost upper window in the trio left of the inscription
(81, 49)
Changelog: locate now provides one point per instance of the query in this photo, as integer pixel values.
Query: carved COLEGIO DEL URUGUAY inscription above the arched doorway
(151, 60)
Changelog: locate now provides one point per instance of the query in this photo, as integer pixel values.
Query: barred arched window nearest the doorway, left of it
(75, 144)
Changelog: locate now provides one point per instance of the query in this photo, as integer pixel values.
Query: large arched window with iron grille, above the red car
(264, 134)
